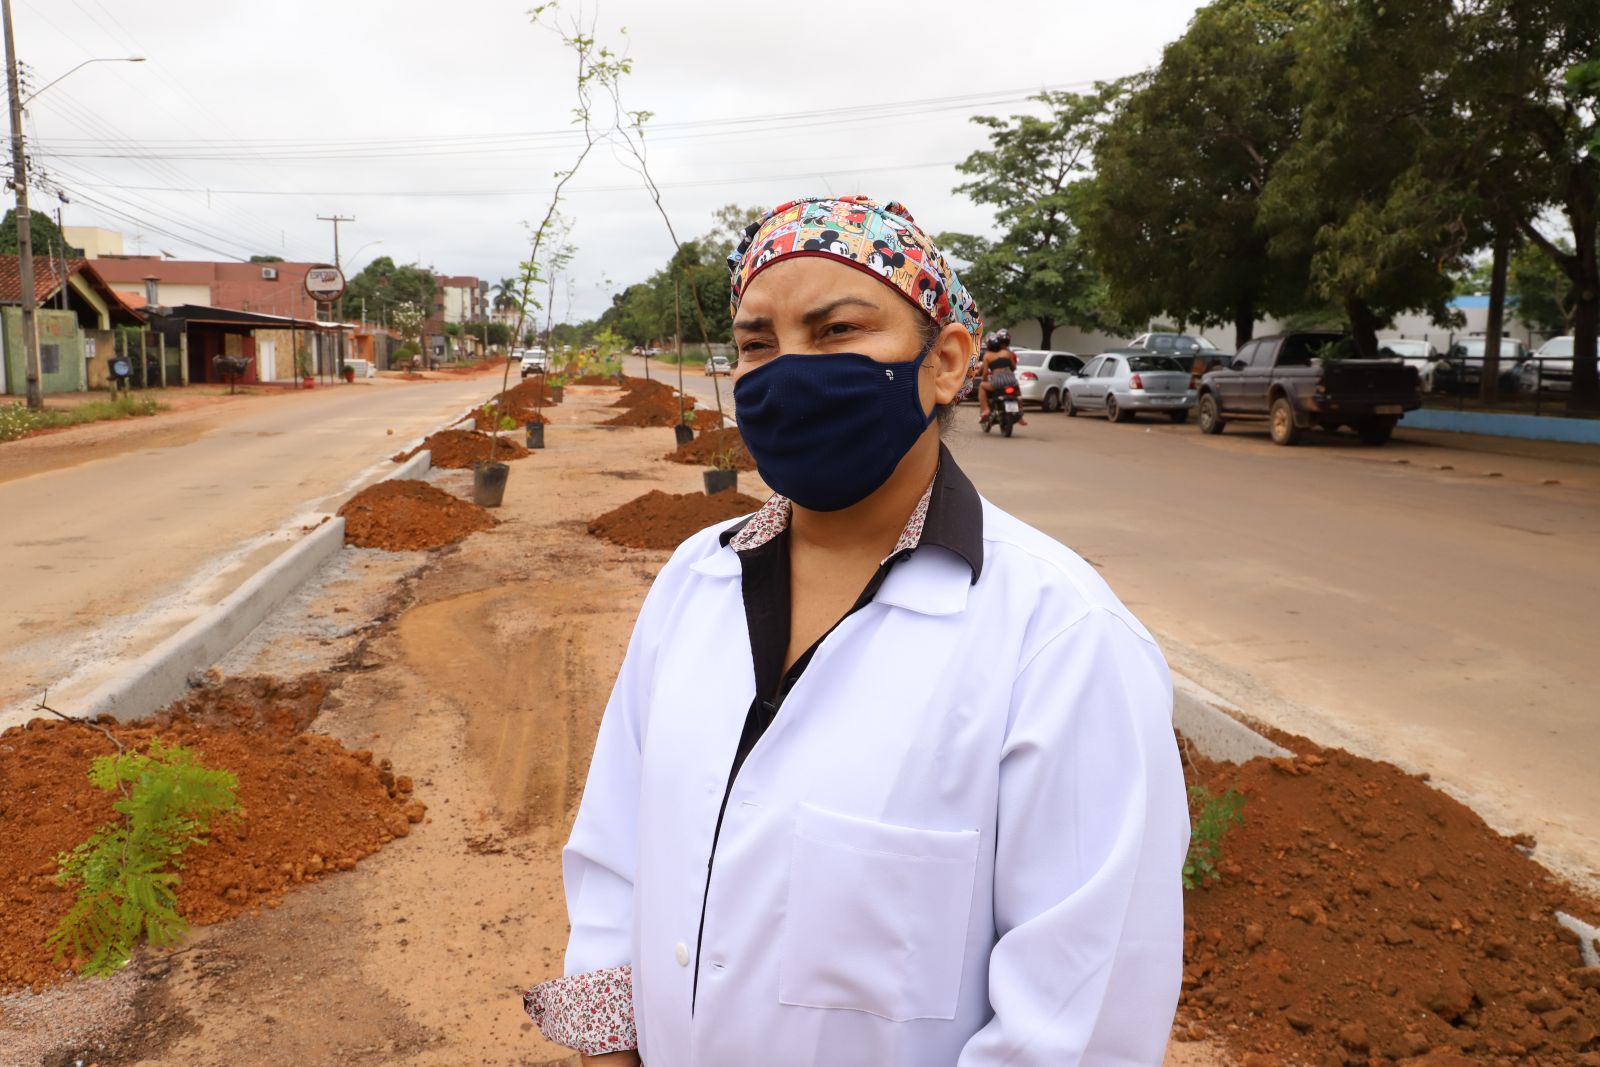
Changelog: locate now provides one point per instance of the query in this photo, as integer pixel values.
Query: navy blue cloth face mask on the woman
(826, 431)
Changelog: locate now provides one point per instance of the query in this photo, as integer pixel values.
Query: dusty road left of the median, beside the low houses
(118, 535)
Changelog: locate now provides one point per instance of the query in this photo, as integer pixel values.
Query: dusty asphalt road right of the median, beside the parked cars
(1434, 602)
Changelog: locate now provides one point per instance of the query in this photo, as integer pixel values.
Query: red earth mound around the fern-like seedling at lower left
(310, 809)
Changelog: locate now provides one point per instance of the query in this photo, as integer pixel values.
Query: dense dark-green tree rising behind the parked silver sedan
(1172, 222)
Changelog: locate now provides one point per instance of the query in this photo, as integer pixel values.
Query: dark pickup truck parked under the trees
(1298, 380)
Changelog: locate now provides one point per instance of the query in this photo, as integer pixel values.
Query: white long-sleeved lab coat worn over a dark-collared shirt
(926, 861)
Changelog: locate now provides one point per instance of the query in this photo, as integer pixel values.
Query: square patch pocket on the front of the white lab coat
(878, 917)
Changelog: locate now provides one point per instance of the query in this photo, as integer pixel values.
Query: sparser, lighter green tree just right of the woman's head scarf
(1034, 265)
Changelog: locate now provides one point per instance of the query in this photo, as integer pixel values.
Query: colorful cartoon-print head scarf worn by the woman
(881, 239)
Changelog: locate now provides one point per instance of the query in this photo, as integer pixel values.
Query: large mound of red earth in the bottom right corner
(1364, 917)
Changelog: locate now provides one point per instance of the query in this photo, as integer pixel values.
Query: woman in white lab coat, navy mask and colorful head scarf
(814, 833)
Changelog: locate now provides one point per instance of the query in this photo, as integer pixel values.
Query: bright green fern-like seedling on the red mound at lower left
(127, 869)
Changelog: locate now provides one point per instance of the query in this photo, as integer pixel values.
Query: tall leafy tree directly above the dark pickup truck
(1361, 193)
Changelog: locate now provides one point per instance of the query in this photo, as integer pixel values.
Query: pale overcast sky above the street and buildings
(439, 126)
